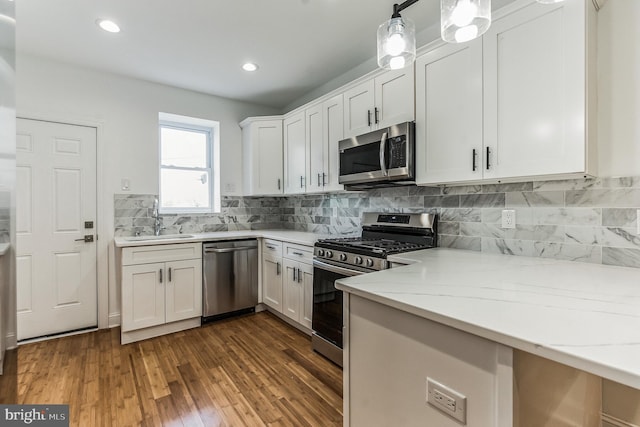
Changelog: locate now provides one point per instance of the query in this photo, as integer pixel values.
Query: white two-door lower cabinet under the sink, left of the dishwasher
(164, 296)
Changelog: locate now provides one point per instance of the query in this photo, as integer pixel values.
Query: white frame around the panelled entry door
(102, 244)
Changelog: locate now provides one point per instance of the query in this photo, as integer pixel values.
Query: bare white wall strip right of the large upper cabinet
(619, 88)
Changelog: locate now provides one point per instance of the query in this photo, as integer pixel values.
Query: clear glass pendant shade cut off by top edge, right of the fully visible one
(464, 20)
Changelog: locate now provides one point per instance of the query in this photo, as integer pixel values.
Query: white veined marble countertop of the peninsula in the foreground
(583, 315)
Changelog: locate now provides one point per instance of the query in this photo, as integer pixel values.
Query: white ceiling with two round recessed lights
(202, 44)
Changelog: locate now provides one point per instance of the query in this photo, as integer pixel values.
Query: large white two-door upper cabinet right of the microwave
(512, 105)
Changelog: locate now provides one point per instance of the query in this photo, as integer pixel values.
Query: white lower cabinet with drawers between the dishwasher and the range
(287, 280)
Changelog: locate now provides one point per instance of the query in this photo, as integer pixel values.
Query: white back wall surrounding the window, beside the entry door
(126, 111)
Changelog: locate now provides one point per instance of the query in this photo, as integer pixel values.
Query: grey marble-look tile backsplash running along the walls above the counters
(589, 220)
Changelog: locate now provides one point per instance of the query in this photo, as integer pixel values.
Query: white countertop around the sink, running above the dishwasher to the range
(291, 236)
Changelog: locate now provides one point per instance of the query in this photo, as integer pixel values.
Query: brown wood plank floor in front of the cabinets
(249, 371)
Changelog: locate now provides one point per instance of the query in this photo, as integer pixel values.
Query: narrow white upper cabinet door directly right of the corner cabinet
(294, 154)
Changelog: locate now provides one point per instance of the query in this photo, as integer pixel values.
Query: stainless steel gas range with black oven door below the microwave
(383, 234)
